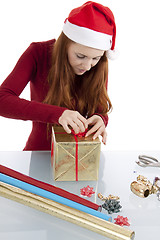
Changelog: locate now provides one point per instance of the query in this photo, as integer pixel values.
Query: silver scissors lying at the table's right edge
(146, 161)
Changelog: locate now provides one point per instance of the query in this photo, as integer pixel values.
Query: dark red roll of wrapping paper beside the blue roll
(48, 187)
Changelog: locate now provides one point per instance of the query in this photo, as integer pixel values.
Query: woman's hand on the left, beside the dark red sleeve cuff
(73, 119)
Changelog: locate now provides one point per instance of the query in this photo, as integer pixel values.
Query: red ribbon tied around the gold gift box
(80, 134)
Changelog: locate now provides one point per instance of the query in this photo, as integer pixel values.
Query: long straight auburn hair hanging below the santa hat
(85, 93)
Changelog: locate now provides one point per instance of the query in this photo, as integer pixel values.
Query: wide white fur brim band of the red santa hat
(87, 37)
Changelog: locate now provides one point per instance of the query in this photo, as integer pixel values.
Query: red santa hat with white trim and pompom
(92, 25)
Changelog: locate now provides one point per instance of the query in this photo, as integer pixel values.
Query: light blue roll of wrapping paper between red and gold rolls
(51, 196)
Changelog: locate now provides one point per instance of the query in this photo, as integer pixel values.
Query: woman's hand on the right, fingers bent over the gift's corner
(98, 127)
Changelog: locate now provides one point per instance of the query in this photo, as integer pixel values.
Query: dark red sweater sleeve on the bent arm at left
(12, 106)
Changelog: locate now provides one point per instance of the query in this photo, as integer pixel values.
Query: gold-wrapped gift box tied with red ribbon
(73, 157)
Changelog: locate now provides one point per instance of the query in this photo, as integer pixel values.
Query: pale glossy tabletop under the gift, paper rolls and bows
(117, 170)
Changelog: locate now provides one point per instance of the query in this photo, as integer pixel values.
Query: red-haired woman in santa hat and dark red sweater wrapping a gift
(68, 78)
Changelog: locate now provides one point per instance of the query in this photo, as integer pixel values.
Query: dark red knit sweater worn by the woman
(33, 67)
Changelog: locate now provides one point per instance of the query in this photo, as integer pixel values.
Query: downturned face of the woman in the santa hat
(82, 58)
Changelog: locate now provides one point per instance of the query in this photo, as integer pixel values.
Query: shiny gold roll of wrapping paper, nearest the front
(82, 219)
